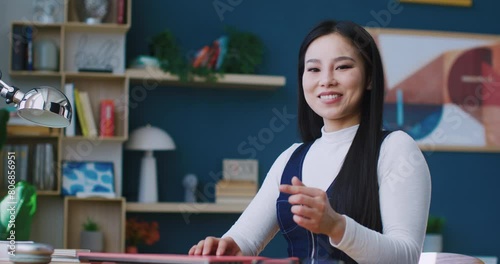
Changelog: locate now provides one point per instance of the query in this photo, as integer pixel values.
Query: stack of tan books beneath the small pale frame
(235, 191)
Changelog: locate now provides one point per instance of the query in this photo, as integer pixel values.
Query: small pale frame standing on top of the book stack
(240, 169)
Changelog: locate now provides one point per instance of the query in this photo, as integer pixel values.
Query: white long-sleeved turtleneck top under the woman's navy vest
(404, 190)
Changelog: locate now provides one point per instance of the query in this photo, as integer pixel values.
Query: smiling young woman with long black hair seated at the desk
(350, 191)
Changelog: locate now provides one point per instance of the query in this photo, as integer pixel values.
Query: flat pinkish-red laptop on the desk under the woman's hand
(95, 257)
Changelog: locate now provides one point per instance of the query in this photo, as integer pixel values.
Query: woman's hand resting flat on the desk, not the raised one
(216, 246)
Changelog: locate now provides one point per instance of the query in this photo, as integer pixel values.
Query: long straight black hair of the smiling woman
(356, 188)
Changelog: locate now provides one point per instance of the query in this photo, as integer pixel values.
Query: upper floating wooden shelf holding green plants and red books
(228, 80)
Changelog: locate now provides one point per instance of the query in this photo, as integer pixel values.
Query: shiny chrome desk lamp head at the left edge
(44, 106)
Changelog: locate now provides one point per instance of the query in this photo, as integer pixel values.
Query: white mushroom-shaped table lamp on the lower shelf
(149, 138)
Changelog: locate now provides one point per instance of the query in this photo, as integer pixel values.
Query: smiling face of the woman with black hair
(334, 81)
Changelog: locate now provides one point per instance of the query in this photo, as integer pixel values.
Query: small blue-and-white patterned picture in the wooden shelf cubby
(88, 178)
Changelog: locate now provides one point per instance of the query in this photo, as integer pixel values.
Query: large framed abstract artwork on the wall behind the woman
(442, 88)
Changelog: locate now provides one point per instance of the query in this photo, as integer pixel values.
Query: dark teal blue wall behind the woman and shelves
(210, 124)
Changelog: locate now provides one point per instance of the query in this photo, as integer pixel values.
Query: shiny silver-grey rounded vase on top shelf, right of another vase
(92, 11)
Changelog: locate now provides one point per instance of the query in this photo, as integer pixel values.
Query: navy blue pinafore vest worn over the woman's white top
(307, 246)
